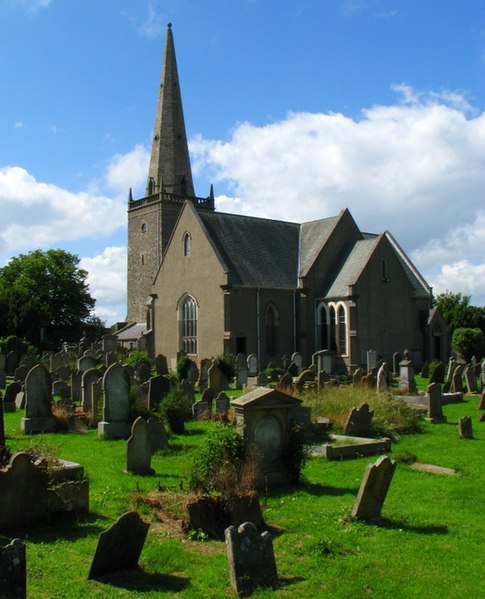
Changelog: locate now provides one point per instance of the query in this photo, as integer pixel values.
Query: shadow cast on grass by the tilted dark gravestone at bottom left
(144, 582)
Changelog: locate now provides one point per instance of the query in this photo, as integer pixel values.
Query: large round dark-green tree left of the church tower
(44, 298)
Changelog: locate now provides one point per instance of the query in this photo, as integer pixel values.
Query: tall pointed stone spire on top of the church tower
(170, 153)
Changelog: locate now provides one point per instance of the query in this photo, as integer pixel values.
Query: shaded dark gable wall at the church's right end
(387, 313)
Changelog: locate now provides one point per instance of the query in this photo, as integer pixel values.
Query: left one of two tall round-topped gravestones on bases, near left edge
(38, 402)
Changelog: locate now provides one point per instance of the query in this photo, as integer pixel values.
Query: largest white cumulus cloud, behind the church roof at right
(416, 167)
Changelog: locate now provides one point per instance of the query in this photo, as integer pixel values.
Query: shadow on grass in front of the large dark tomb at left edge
(61, 527)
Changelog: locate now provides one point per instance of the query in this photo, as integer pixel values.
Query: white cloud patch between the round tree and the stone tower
(107, 282)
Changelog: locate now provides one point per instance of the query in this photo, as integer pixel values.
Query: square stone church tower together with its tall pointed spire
(151, 219)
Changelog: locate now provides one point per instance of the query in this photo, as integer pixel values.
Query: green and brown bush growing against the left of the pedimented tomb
(224, 465)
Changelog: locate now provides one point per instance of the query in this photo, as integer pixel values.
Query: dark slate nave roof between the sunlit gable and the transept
(256, 251)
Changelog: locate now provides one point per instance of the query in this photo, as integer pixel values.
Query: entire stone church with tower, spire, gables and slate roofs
(206, 283)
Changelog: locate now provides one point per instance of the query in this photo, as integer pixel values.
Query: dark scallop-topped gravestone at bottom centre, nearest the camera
(251, 558)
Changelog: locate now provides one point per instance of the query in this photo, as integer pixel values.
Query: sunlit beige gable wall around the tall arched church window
(200, 274)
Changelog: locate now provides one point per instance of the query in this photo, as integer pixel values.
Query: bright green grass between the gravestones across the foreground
(429, 543)
